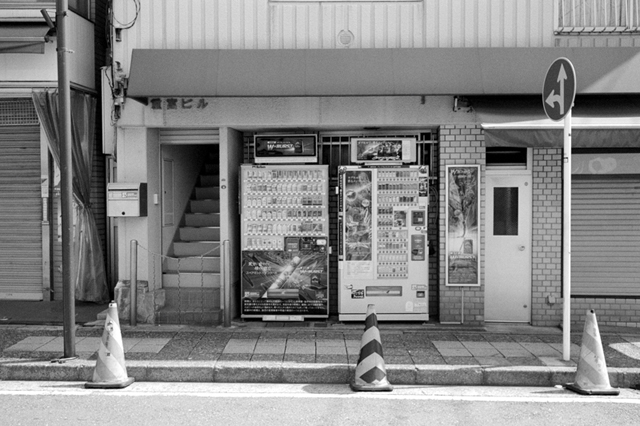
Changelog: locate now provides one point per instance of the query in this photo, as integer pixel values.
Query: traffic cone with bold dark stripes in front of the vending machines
(371, 373)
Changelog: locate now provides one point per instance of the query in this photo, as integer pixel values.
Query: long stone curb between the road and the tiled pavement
(270, 372)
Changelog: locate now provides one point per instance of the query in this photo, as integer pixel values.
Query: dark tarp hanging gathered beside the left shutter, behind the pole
(89, 275)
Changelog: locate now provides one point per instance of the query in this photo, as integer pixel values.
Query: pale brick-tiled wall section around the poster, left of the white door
(459, 145)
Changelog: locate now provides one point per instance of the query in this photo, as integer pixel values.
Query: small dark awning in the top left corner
(23, 37)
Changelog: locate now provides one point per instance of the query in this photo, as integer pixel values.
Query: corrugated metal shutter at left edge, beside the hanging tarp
(20, 213)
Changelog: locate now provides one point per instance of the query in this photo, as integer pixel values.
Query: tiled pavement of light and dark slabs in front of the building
(409, 348)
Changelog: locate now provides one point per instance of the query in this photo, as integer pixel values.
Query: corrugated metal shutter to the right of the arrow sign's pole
(605, 249)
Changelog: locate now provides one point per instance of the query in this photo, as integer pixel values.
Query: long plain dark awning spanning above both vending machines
(374, 72)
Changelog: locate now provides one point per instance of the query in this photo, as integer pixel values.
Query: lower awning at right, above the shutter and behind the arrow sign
(597, 121)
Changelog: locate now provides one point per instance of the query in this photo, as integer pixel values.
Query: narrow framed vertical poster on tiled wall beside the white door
(462, 239)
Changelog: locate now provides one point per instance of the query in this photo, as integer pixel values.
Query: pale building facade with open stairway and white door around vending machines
(192, 83)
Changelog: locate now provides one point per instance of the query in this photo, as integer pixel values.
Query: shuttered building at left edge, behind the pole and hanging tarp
(30, 246)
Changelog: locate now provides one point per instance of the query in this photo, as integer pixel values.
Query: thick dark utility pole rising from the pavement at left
(66, 181)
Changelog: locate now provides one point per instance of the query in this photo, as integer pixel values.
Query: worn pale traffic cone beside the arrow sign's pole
(591, 376)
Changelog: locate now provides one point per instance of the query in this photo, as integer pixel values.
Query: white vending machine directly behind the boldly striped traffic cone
(383, 251)
